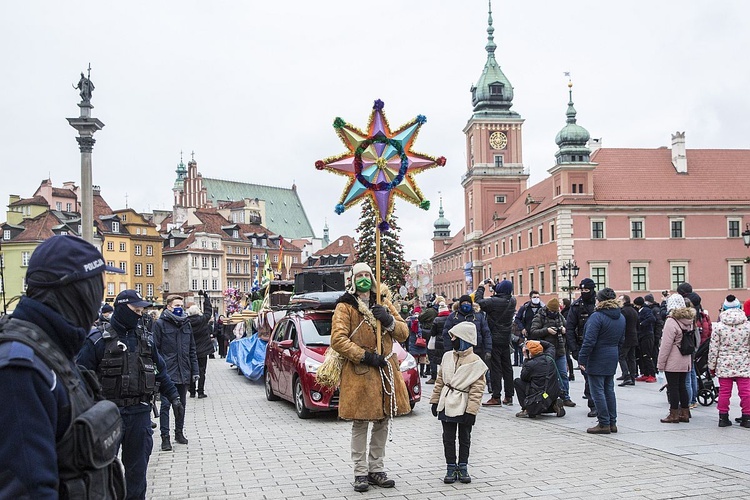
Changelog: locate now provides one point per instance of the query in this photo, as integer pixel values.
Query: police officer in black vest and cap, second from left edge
(128, 366)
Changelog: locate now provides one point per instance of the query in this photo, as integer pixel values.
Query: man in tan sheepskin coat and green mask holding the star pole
(366, 372)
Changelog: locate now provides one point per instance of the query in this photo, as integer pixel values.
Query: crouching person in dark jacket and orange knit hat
(539, 376)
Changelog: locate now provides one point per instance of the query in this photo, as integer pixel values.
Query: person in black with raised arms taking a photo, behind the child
(500, 310)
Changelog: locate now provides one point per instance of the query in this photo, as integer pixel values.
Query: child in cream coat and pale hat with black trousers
(457, 396)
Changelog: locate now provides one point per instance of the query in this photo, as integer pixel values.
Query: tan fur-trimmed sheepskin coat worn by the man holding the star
(361, 395)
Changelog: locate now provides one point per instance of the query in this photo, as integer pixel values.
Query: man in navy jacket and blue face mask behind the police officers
(173, 336)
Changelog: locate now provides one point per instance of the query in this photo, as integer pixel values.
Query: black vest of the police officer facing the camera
(127, 377)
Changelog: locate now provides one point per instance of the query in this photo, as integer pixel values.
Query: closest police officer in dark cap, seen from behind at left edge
(44, 392)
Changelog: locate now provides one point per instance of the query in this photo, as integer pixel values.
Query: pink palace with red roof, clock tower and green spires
(637, 220)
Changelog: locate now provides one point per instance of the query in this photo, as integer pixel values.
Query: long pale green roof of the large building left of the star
(284, 212)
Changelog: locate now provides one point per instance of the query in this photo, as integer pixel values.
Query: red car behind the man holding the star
(297, 348)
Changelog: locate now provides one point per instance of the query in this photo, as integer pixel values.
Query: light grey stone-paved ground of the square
(243, 446)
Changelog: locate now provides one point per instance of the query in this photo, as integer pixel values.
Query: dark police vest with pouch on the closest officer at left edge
(87, 461)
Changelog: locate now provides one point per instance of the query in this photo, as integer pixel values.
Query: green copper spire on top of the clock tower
(492, 96)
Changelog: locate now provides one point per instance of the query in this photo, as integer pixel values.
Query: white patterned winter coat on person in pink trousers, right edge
(729, 352)
